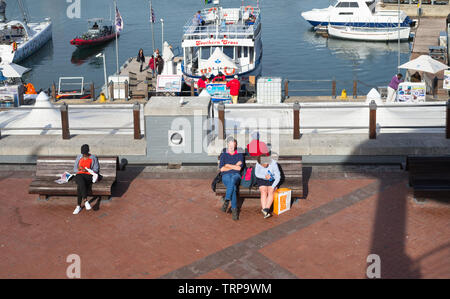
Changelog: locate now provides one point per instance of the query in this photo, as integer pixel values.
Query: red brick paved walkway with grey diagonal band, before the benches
(164, 225)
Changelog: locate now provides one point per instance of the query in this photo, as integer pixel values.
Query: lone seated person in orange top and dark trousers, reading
(86, 168)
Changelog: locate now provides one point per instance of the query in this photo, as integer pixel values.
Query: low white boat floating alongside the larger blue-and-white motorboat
(369, 34)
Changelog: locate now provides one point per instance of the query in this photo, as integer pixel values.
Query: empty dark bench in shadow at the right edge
(428, 173)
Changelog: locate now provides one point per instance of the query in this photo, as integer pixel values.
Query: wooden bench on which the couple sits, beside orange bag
(291, 177)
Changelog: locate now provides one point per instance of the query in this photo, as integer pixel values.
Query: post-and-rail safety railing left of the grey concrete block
(64, 108)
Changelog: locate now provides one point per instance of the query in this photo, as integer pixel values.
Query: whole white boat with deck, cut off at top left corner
(20, 39)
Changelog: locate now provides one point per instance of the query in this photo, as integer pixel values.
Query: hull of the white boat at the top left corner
(29, 47)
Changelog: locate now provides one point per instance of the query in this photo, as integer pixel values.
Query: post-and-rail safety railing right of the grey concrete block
(372, 126)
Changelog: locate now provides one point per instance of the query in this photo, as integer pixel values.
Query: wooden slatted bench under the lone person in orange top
(49, 169)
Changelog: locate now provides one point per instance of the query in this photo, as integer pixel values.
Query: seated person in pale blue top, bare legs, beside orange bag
(267, 178)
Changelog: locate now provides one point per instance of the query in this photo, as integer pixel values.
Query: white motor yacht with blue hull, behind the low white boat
(357, 13)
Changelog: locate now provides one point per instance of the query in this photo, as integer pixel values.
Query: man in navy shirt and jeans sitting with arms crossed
(231, 163)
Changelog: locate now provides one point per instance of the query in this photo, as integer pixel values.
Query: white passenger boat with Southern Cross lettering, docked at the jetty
(228, 42)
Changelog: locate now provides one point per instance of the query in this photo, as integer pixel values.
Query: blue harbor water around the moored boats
(290, 48)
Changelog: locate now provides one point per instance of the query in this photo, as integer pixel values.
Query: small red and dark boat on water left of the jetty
(97, 34)
